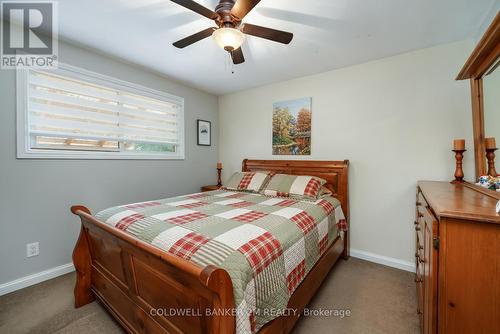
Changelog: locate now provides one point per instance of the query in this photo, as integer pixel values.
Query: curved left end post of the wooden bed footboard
(82, 261)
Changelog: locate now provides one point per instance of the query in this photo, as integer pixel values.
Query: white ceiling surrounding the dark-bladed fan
(329, 34)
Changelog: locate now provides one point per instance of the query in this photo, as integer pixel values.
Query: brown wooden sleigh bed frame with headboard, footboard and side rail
(133, 278)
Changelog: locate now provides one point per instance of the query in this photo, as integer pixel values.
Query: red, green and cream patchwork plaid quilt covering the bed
(266, 244)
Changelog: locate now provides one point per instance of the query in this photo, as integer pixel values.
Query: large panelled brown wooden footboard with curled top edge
(147, 290)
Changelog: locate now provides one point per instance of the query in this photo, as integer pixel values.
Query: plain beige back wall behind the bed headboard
(394, 119)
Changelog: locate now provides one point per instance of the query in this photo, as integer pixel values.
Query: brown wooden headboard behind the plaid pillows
(334, 172)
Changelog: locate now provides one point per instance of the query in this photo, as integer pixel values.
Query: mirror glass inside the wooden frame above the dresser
(491, 100)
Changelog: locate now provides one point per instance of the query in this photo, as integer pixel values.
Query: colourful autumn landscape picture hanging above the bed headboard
(292, 127)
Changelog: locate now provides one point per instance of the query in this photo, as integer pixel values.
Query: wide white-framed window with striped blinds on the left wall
(73, 113)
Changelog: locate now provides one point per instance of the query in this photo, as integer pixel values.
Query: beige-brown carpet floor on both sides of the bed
(380, 300)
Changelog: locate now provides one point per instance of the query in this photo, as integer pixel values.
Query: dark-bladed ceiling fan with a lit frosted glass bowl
(230, 31)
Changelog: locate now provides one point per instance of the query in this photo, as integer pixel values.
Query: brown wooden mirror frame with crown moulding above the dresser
(484, 56)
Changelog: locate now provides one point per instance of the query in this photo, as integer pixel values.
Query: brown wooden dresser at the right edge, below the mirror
(457, 258)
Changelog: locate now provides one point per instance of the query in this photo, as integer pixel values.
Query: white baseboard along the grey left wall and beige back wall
(33, 279)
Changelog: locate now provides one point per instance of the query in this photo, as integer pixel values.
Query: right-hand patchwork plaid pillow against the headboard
(298, 186)
